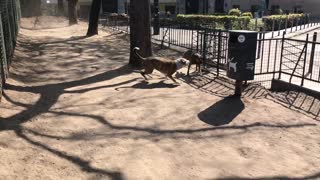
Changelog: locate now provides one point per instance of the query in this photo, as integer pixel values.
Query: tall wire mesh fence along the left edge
(10, 14)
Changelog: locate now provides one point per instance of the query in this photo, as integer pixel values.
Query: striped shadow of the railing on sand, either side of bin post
(223, 87)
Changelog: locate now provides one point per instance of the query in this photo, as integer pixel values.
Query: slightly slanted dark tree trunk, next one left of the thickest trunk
(94, 18)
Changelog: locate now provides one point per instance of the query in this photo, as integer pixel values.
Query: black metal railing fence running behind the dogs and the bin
(295, 61)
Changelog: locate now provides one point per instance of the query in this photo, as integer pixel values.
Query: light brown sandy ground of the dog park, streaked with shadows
(73, 109)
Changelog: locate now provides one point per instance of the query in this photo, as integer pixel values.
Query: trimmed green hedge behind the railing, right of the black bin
(280, 20)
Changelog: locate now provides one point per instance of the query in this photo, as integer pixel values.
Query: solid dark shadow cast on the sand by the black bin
(222, 112)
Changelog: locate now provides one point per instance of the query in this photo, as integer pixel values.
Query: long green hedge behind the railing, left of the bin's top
(227, 21)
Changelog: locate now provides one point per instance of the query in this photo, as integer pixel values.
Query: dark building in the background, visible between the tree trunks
(207, 6)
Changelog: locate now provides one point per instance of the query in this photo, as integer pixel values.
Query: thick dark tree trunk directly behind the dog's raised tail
(140, 32)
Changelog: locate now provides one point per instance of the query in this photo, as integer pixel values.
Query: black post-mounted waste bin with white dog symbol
(242, 56)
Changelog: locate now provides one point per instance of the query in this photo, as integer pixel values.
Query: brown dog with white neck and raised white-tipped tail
(165, 66)
